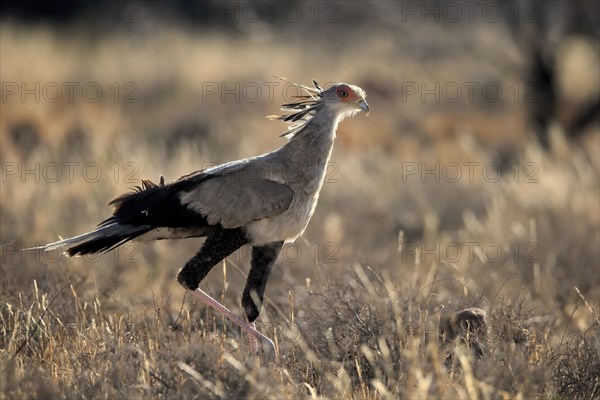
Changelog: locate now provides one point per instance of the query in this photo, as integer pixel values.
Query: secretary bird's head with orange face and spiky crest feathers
(340, 100)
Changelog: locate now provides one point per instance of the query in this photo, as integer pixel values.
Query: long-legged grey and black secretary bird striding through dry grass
(262, 201)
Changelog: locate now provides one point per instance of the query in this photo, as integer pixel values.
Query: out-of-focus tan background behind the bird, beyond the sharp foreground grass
(475, 175)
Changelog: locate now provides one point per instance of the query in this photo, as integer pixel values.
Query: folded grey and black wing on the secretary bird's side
(229, 197)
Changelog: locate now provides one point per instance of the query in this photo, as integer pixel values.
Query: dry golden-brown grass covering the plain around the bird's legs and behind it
(355, 309)
